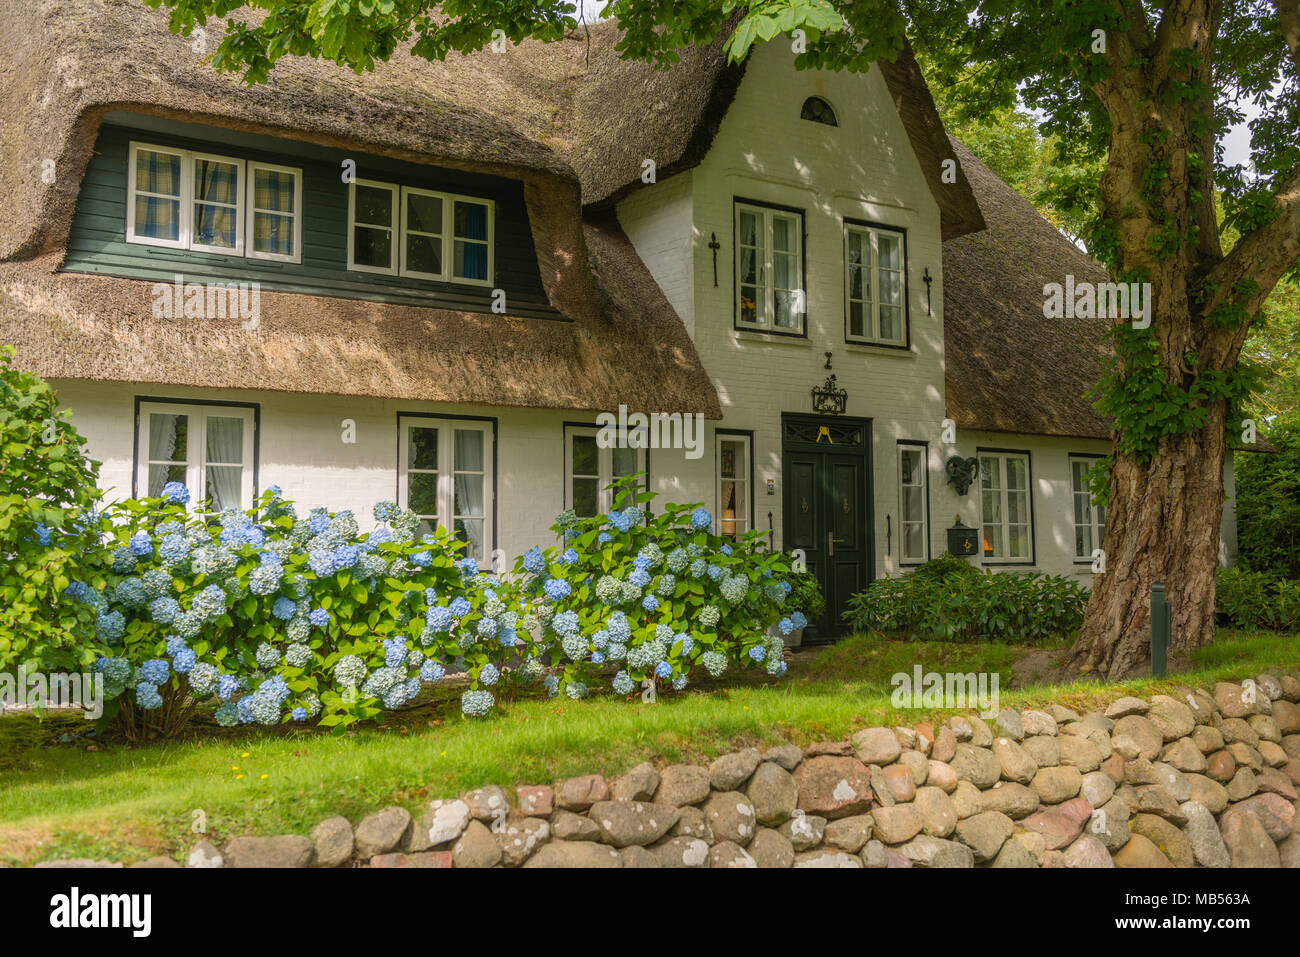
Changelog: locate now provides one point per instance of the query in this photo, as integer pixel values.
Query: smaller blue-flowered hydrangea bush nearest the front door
(655, 599)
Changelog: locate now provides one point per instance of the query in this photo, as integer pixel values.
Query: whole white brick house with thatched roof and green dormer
(436, 284)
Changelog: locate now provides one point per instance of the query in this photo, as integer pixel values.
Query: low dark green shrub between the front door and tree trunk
(960, 607)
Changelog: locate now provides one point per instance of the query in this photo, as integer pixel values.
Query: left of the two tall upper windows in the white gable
(769, 270)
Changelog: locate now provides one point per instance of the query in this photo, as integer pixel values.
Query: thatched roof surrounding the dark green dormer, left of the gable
(68, 64)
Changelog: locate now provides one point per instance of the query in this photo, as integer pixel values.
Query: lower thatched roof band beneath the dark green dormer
(627, 345)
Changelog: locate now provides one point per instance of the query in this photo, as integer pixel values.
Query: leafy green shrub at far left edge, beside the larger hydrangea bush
(47, 495)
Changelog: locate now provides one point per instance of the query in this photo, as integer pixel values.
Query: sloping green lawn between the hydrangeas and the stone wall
(60, 799)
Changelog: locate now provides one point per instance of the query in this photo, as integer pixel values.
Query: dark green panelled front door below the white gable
(827, 508)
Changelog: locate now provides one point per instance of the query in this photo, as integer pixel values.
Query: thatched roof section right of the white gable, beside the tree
(1011, 370)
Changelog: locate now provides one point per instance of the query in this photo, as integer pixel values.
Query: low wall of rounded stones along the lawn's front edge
(1206, 781)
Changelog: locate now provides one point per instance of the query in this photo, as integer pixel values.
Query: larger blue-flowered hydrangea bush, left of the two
(292, 618)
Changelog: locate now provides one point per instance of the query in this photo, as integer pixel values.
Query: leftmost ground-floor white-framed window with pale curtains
(209, 449)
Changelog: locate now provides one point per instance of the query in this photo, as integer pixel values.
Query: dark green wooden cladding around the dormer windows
(98, 243)
